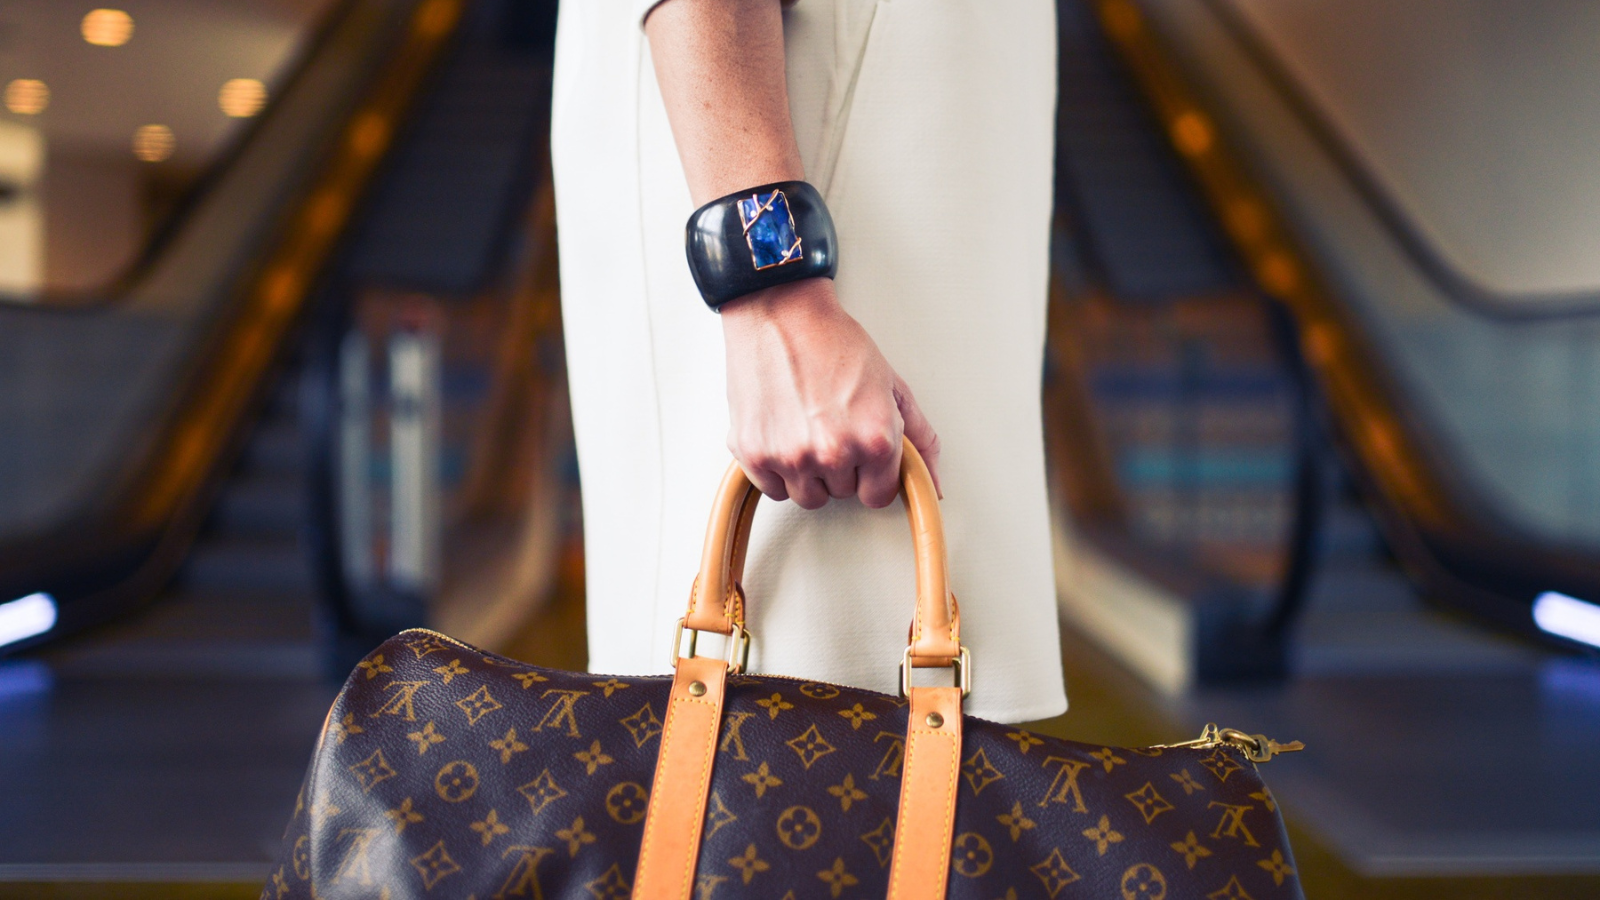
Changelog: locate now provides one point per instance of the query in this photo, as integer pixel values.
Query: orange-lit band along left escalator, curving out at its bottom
(151, 524)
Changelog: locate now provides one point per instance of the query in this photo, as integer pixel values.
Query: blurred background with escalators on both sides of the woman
(281, 374)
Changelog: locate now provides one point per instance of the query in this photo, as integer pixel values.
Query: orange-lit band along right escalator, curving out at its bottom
(1447, 534)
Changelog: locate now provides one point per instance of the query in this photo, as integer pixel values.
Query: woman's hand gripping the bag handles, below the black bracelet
(815, 409)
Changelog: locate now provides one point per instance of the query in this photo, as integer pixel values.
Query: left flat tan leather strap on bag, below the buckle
(678, 797)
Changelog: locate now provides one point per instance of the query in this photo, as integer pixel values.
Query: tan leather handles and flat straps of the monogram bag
(930, 768)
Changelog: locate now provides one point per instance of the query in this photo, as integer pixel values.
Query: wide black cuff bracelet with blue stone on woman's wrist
(761, 238)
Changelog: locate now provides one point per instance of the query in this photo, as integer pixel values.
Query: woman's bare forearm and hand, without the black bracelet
(815, 409)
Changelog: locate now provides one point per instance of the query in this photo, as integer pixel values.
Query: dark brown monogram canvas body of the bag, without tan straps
(452, 773)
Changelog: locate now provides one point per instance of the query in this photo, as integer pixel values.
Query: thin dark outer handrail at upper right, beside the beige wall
(1433, 263)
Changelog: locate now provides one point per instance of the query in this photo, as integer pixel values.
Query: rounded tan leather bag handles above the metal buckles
(718, 601)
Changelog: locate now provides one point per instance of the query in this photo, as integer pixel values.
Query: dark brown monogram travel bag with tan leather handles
(450, 773)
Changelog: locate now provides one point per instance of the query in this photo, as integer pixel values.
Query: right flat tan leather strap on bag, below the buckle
(929, 779)
